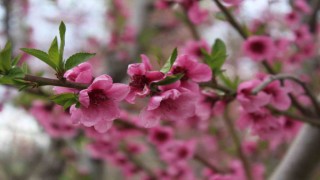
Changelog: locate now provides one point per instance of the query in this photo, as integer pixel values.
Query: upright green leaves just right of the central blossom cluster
(217, 57)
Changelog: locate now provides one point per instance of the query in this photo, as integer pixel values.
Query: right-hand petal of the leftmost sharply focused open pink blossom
(118, 92)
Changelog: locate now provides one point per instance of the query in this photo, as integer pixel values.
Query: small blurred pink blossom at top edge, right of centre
(197, 15)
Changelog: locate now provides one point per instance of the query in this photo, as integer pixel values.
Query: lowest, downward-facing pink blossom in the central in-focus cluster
(171, 105)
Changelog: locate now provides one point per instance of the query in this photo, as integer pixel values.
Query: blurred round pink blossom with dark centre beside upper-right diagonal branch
(259, 48)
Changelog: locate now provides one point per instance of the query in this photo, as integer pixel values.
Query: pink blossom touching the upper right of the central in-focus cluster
(193, 70)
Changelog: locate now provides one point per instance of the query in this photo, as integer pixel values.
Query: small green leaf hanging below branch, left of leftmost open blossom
(65, 99)
